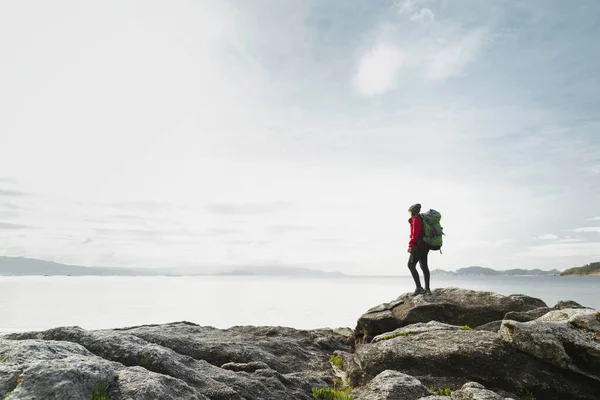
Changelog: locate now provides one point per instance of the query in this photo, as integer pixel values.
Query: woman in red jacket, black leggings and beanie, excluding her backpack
(418, 250)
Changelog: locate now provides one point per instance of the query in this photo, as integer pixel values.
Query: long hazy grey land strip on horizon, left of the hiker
(21, 266)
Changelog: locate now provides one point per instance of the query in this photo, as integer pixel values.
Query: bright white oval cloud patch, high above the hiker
(377, 70)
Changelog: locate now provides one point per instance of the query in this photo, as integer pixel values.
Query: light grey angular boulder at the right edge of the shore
(567, 338)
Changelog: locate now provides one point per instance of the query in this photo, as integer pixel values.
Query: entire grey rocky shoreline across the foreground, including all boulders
(455, 342)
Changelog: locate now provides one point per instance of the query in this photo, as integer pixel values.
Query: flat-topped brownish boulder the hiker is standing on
(449, 305)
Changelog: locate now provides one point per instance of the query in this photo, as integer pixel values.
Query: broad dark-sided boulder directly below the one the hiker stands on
(467, 355)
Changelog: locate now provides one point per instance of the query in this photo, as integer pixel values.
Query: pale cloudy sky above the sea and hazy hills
(211, 134)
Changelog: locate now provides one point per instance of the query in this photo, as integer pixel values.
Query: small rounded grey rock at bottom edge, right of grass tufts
(392, 385)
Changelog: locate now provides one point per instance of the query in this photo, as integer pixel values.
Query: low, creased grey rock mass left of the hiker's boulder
(196, 362)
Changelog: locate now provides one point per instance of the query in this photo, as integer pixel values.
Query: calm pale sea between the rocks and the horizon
(34, 303)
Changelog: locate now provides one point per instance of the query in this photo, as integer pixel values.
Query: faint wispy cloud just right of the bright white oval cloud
(452, 58)
